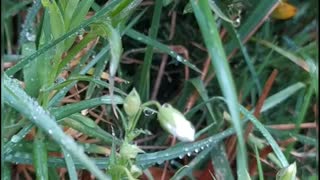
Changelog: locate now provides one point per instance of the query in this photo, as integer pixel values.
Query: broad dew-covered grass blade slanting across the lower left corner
(19, 100)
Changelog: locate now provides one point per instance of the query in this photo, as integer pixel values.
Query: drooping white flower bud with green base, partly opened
(175, 123)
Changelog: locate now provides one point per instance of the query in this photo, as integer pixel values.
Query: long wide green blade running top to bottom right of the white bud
(219, 61)
